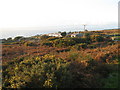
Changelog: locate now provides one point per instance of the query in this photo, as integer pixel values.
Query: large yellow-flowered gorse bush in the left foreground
(37, 73)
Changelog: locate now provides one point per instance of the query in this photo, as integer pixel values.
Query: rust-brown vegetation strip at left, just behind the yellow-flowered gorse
(12, 51)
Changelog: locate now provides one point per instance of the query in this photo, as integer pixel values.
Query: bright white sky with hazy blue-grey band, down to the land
(55, 15)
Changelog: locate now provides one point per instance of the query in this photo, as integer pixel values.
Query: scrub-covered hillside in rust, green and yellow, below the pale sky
(86, 59)
